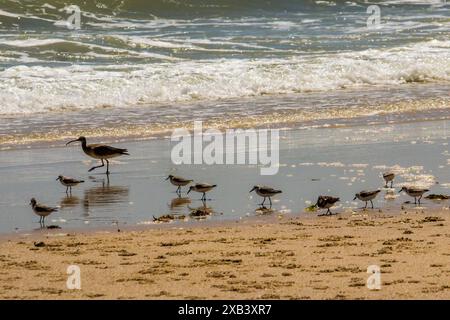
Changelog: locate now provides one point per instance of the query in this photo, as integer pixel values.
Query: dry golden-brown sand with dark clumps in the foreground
(292, 258)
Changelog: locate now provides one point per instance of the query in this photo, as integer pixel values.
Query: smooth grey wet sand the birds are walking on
(335, 161)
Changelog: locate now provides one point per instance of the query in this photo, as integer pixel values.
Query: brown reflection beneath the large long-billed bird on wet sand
(104, 195)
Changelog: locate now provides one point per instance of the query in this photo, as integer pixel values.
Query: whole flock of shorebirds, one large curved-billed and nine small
(104, 153)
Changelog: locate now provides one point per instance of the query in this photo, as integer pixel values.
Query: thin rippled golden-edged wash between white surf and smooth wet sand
(350, 108)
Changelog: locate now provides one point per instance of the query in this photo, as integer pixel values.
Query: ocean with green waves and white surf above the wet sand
(140, 68)
